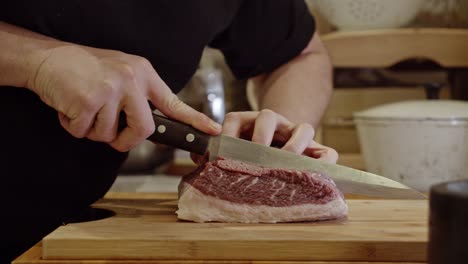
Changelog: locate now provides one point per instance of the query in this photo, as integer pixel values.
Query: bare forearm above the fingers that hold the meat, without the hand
(301, 89)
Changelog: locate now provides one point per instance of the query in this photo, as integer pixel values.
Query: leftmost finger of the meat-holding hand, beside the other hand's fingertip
(237, 122)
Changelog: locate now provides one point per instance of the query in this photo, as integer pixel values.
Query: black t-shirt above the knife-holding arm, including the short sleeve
(255, 36)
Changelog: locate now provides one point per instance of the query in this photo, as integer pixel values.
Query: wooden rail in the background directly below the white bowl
(384, 48)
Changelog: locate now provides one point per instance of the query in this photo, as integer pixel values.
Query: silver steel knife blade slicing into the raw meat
(347, 179)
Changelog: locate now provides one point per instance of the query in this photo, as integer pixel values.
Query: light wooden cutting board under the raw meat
(376, 230)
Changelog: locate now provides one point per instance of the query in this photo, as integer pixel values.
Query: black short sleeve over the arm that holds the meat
(266, 35)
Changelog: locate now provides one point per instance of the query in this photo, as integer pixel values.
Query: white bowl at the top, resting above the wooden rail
(368, 14)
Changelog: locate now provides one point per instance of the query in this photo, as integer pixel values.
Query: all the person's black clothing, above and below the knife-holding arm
(47, 175)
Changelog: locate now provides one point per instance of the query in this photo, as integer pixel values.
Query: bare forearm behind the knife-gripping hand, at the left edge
(21, 53)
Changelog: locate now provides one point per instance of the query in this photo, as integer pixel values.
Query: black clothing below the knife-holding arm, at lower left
(46, 174)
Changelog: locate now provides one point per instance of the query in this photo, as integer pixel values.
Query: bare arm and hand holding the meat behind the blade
(292, 100)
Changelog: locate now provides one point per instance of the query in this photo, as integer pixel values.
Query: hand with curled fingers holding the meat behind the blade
(272, 129)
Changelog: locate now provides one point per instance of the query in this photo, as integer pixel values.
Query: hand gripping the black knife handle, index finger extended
(90, 87)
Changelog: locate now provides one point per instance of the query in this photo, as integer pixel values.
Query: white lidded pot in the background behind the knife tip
(417, 143)
